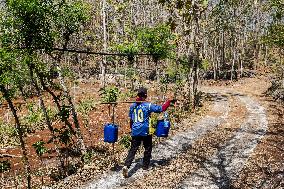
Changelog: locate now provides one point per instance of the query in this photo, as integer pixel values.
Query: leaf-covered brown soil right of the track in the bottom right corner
(265, 168)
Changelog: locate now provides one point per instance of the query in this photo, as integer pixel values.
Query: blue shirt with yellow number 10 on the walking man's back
(140, 113)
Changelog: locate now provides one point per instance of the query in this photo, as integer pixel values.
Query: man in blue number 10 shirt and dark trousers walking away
(139, 114)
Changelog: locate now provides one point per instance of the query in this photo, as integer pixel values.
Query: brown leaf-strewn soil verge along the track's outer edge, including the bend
(265, 167)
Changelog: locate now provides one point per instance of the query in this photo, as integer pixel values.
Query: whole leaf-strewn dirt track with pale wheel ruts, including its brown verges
(239, 143)
